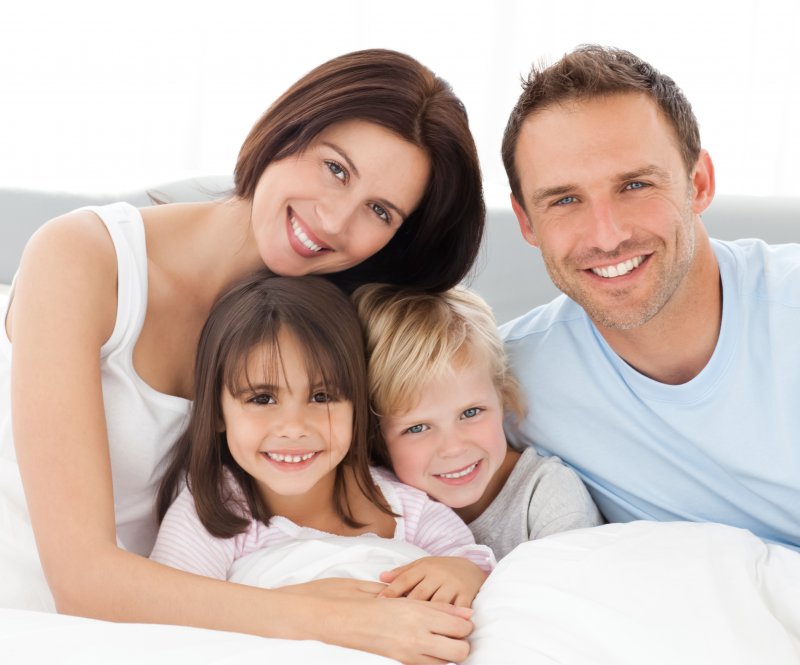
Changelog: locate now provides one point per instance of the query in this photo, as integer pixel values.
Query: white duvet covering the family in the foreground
(641, 594)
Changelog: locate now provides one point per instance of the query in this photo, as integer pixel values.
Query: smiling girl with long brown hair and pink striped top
(276, 449)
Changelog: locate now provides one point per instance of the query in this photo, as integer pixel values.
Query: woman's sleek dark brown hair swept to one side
(436, 246)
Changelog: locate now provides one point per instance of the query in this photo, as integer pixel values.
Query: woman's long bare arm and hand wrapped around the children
(64, 309)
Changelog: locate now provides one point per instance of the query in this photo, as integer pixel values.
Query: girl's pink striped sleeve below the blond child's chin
(440, 532)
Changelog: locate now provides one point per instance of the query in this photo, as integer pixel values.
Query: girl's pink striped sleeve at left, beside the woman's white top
(184, 543)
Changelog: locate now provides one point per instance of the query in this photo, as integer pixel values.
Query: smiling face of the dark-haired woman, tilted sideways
(339, 201)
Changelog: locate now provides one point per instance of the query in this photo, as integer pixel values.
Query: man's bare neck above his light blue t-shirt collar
(675, 345)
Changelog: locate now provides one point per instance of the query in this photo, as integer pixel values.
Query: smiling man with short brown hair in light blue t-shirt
(669, 375)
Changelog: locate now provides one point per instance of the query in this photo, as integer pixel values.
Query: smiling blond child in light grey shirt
(440, 383)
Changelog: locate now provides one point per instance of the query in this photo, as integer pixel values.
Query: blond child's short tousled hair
(414, 338)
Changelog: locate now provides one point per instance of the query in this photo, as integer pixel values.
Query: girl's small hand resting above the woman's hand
(447, 579)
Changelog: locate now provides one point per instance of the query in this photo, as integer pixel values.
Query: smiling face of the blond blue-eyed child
(451, 442)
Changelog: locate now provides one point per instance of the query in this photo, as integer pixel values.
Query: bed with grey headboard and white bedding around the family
(638, 593)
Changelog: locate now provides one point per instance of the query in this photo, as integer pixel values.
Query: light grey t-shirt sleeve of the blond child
(560, 502)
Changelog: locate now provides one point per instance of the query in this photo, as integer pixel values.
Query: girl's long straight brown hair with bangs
(248, 318)
